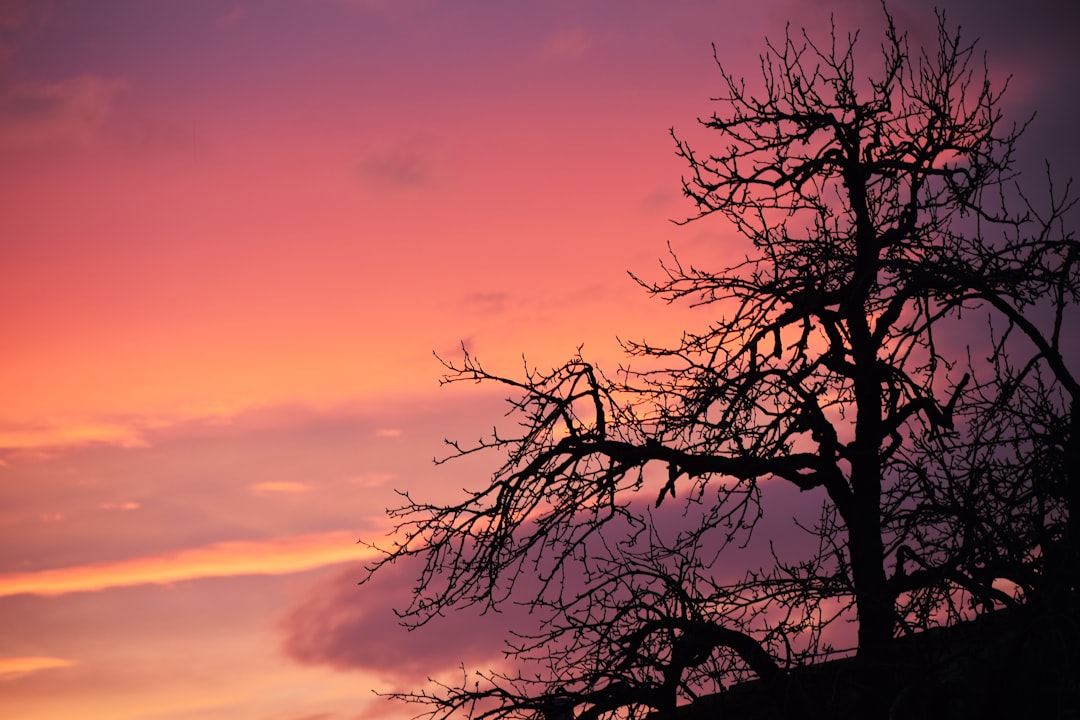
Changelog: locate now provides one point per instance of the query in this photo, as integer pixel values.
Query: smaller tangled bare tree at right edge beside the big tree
(995, 501)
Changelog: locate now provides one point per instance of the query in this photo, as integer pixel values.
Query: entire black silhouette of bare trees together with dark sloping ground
(893, 347)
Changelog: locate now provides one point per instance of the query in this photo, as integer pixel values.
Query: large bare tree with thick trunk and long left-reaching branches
(866, 200)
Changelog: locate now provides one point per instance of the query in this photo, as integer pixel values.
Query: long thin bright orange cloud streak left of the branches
(279, 556)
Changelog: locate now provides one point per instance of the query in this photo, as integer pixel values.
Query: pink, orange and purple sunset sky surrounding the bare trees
(233, 234)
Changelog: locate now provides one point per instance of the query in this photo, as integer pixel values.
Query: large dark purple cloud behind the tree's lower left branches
(355, 629)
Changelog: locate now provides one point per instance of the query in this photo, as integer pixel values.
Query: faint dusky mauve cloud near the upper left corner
(67, 111)
